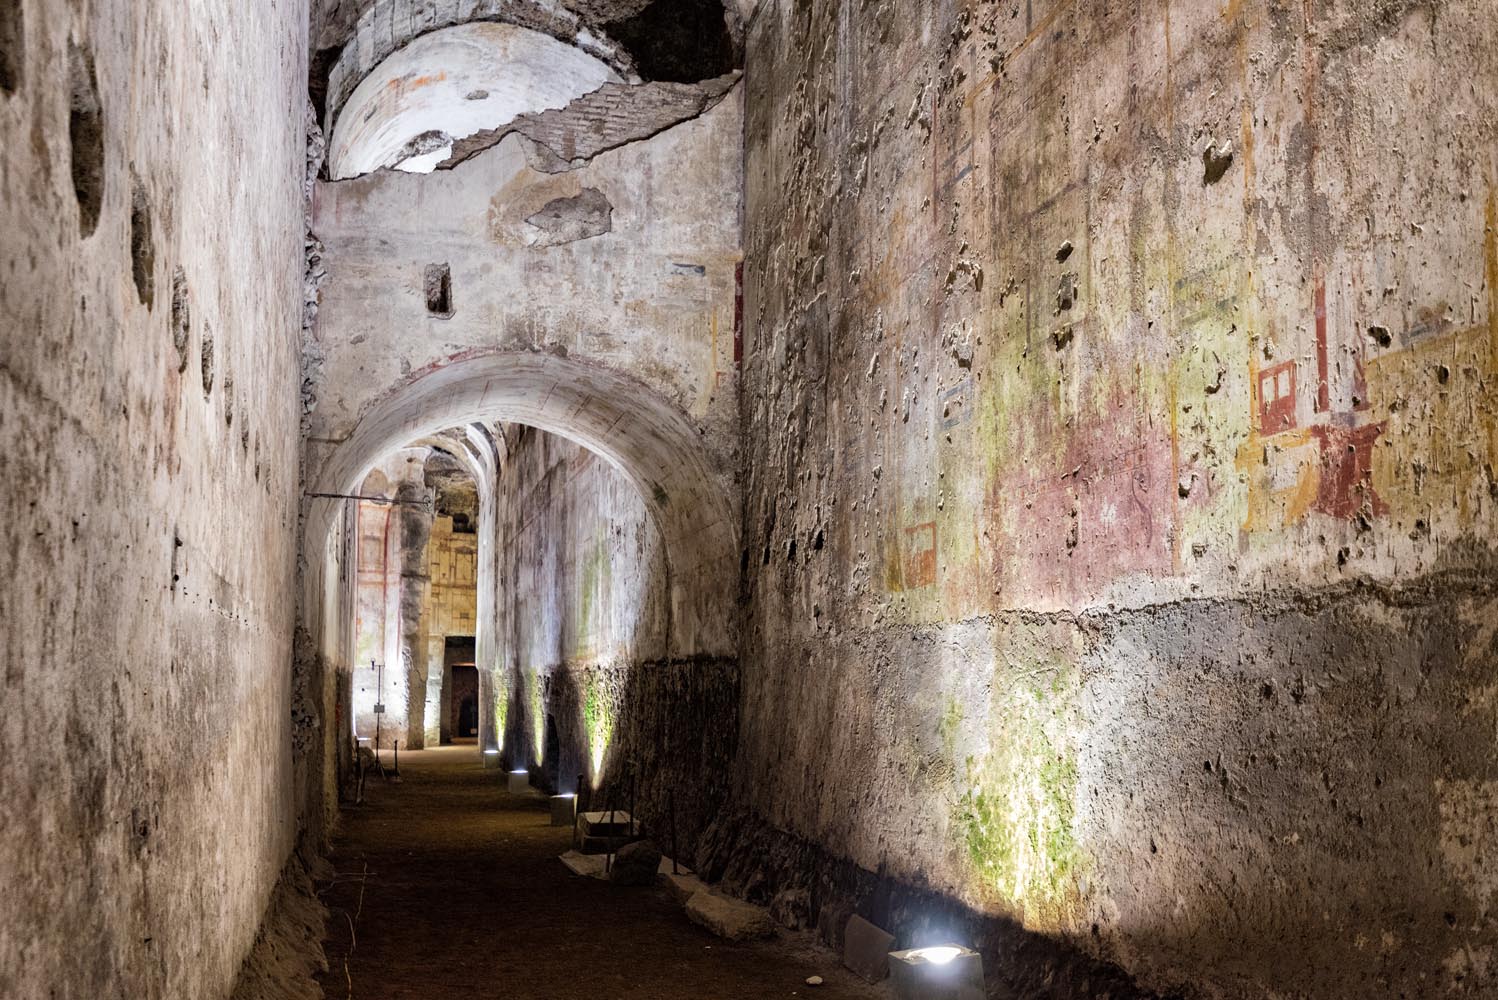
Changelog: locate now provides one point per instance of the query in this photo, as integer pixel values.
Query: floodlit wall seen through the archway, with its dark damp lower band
(583, 685)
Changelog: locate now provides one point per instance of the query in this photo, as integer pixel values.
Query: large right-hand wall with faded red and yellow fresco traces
(1120, 408)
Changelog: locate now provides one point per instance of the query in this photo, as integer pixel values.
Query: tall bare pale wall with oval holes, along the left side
(151, 305)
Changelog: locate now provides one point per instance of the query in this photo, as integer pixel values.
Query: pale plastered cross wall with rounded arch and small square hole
(622, 341)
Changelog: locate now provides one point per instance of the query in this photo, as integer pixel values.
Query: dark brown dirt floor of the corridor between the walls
(465, 897)
